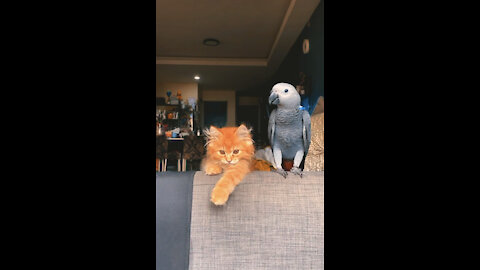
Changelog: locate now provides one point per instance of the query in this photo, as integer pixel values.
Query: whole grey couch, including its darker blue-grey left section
(268, 222)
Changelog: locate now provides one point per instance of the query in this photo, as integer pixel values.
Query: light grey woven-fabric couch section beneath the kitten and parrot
(268, 223)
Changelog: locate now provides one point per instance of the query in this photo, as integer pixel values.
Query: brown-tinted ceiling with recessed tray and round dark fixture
(254, 35)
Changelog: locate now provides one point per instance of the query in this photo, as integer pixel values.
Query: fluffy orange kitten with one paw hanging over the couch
(229, 150)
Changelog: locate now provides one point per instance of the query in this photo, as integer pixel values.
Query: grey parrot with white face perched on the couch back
(288, 127)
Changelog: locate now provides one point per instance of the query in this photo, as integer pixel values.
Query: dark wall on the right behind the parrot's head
(311, 64)
